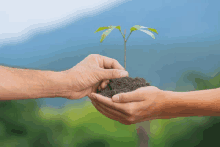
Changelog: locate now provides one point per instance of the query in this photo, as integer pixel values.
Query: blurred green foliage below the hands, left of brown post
(23, 124)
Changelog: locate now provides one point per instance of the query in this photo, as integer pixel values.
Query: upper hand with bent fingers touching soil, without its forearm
(92, 73)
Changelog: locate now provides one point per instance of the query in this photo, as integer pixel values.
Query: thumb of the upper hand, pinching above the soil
(114, 74)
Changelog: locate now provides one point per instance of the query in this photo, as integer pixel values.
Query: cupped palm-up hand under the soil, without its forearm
(143, 104)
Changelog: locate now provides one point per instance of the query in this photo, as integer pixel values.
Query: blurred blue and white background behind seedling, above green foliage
(56, 35)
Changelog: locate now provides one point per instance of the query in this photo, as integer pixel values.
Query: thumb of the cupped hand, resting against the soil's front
(133, 96)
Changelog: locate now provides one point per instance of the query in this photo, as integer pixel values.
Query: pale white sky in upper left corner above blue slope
(22, 17)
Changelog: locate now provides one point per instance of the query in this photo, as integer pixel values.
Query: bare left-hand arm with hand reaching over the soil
(75, 83)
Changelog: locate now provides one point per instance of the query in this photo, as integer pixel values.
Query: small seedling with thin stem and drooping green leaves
(134, 28)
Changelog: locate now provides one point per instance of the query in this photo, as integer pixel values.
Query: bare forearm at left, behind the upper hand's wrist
(18, 84)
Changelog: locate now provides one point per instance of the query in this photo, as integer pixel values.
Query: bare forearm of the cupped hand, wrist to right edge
(193, 103)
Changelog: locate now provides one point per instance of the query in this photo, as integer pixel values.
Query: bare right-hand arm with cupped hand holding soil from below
(148, 103)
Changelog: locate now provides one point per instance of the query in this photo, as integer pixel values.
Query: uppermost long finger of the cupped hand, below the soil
(109, 103)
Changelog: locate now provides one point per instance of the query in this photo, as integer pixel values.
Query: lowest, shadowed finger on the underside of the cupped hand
(109, 115)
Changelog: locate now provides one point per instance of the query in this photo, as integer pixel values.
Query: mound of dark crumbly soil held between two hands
(122, 85)
